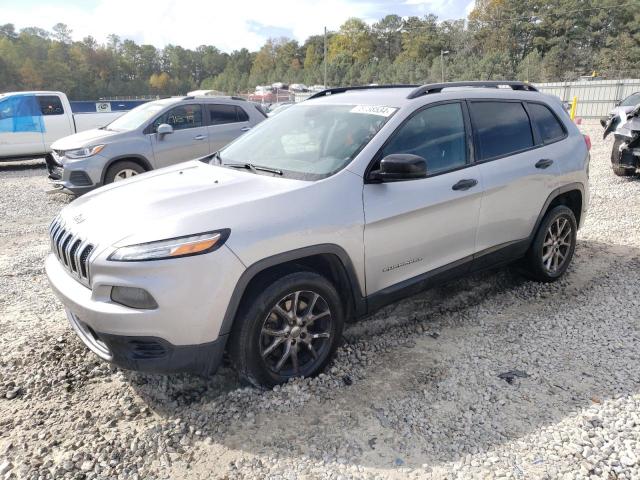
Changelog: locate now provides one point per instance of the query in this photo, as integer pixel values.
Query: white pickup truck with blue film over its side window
(31, 121)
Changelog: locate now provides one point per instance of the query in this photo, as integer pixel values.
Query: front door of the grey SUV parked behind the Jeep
(189, 139)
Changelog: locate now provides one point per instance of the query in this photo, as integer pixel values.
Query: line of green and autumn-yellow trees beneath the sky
(533, 40)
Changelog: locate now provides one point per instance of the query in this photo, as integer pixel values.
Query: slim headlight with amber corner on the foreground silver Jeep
(172, 247)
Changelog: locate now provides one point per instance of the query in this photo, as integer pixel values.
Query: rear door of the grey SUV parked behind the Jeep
(225, 123)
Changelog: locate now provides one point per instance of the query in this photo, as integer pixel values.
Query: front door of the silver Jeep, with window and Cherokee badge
(416, 226)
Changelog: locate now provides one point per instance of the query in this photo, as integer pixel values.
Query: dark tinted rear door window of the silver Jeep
(501, 128)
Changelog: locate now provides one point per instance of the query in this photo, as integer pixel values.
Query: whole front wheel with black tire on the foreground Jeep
(251, 346)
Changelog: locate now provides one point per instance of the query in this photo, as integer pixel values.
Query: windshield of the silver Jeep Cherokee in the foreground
(308, 142)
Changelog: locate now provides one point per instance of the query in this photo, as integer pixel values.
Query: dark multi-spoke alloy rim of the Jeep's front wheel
(296, 334)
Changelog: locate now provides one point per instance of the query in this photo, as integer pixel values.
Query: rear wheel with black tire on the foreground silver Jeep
(541, 259)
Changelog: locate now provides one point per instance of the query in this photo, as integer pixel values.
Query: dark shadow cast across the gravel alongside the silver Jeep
(424, 374)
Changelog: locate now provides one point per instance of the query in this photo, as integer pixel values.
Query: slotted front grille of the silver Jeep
(71, 249)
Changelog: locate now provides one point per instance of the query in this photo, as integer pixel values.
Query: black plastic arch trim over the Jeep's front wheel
(329, 260)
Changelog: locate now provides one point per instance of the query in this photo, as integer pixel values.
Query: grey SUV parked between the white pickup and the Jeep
(154, 135)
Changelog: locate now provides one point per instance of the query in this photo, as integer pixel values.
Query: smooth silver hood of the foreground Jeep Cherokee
(183, 199)
